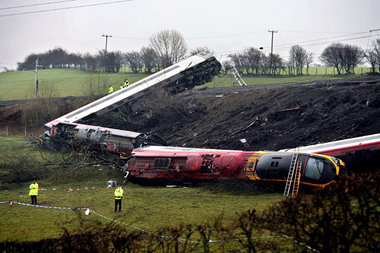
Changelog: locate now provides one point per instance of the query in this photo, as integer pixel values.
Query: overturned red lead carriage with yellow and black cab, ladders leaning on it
(163, 165)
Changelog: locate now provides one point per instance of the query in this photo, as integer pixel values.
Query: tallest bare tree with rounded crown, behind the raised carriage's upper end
(169, 45)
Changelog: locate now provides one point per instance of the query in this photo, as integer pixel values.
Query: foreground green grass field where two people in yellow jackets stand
(148, 208)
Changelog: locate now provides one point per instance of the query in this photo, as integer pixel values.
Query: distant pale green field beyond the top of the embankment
(69, 82)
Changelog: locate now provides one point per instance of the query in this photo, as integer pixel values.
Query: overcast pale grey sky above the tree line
(223, 26)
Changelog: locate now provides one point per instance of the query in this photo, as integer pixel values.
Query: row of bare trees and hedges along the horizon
(168, 47)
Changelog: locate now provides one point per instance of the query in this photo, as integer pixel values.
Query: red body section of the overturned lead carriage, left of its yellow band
(157, 164)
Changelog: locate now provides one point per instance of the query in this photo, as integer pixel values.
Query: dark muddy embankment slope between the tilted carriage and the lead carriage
(261, 117)
